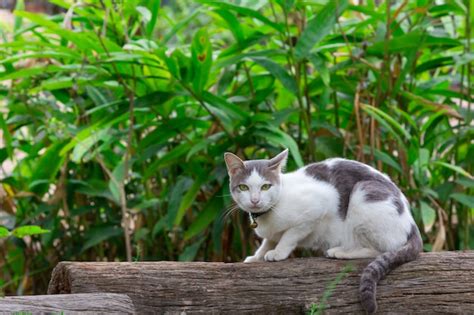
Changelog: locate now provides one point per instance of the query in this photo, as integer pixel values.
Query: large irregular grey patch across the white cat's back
(345, 174)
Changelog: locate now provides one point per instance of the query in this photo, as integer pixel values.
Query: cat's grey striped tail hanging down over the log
(385, 263)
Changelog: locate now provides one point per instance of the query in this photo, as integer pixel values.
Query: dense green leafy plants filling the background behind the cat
(115, 116)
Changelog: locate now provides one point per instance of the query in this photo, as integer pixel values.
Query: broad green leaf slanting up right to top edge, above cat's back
(319, 26)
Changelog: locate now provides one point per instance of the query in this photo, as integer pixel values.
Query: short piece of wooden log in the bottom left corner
(88, 303)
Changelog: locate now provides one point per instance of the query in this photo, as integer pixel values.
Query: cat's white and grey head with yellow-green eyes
(255, 184)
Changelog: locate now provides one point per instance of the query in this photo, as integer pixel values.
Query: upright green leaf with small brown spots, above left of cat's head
(201, 52)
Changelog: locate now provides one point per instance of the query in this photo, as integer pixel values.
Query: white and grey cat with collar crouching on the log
(343, 207)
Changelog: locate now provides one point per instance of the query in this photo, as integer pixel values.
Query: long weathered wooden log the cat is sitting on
(435, 283)
